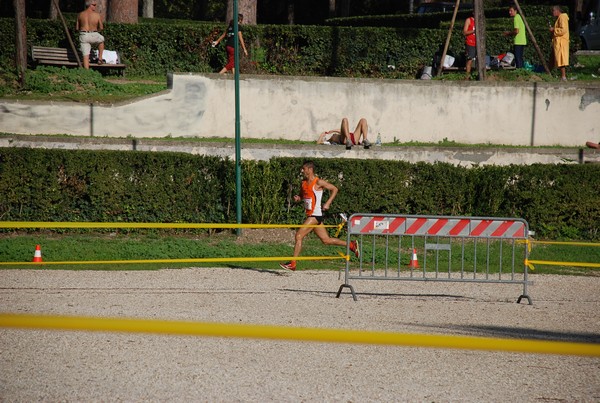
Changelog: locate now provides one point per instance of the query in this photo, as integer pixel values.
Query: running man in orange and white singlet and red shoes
(312, 194)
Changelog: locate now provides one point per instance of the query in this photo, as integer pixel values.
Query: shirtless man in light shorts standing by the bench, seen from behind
(89, 24)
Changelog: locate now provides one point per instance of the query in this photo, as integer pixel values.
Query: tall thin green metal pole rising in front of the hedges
(238, 152)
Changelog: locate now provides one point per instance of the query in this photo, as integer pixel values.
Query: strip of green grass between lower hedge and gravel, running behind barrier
(97, 247)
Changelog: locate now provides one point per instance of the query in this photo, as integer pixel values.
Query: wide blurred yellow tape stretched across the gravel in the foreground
(296, 334)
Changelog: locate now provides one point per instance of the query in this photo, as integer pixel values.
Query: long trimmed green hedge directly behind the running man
(558, 201)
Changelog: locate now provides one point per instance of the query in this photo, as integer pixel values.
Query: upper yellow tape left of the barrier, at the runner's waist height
(41, 224)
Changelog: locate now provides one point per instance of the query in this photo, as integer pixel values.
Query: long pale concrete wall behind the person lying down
(298, 108)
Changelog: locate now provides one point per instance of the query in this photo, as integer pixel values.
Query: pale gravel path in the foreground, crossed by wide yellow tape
(39, 365)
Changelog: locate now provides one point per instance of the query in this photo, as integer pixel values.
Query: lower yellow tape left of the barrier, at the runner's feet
(191, 260)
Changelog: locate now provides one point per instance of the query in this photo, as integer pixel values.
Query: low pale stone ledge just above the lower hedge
(463, 156)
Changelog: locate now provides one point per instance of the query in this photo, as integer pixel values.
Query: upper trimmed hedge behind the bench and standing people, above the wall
(156, 48)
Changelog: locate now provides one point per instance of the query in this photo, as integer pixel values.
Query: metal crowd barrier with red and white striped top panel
(453, 249)
